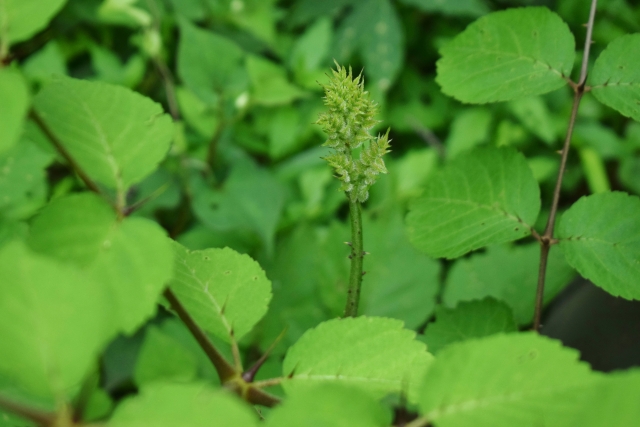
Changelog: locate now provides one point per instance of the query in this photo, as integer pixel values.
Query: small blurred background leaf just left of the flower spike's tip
(269, 82)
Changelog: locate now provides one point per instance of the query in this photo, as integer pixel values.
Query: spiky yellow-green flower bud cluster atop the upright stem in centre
(347, 123)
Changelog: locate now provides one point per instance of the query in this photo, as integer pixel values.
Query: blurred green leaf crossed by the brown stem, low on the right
(508, 273)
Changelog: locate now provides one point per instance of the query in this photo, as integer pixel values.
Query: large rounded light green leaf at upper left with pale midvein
(117, 136)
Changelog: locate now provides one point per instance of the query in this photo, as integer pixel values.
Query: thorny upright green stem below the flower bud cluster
(357, 254)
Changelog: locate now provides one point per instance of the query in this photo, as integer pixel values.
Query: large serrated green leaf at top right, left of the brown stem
(507, 55)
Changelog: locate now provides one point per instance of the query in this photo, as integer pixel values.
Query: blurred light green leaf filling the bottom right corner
(614, 402)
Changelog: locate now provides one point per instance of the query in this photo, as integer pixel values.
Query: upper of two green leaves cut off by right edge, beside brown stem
(615, 77)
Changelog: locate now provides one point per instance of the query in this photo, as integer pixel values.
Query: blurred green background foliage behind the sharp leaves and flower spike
(241, 80)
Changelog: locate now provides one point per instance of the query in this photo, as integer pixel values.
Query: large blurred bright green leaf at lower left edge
(57, 320)
